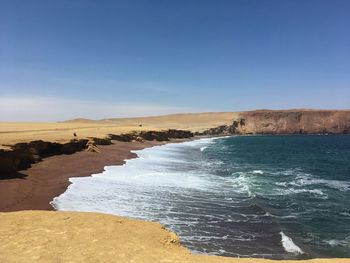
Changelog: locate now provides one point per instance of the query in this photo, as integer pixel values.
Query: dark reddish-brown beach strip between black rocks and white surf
(49, 178)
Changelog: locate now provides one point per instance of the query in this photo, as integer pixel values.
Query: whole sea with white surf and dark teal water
(280, 197)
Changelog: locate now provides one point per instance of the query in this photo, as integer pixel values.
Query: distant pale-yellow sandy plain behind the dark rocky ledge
(14, 132)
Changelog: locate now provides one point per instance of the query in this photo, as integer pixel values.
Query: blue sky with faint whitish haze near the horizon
(66, 59)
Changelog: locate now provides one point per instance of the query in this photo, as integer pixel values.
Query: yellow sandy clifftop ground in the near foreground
(33, 236)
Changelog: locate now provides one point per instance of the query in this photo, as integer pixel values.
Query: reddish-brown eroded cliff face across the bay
(286, 122)
